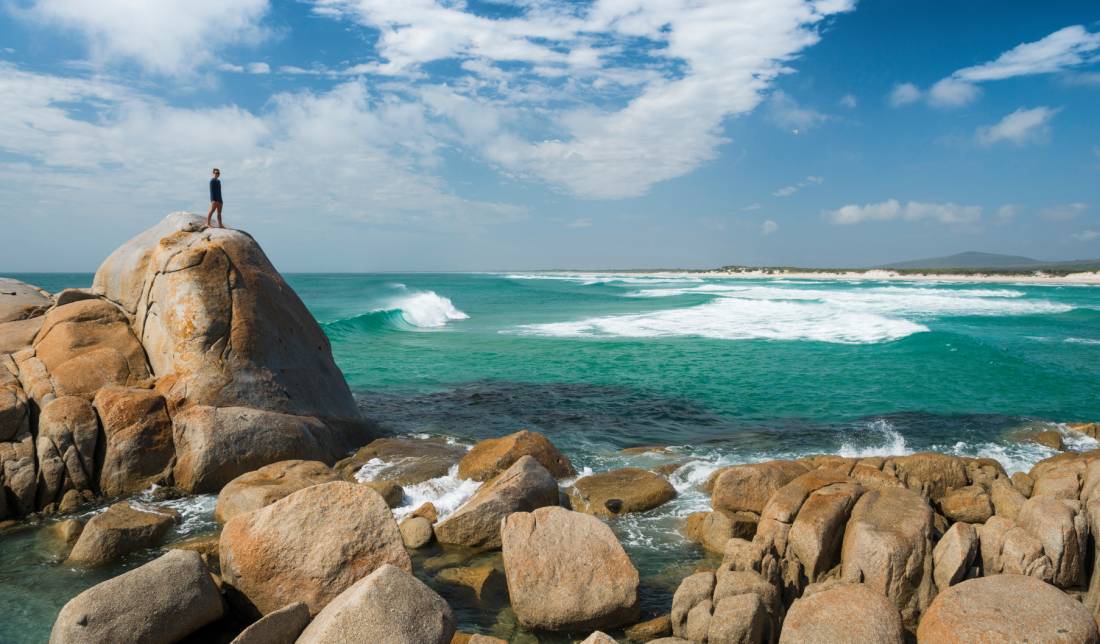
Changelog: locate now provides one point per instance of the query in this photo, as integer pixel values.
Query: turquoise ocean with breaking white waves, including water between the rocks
(723, 370)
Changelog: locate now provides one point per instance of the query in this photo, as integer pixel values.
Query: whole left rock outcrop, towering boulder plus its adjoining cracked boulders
(189, 363)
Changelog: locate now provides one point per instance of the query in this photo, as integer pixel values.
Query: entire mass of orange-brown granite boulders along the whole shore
(192, 365)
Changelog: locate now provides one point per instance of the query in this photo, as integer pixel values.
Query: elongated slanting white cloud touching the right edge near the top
(1062, 50)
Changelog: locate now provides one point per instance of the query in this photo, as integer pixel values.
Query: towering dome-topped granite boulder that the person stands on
(247, 372)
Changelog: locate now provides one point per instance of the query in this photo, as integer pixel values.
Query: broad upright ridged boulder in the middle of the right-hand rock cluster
(888, 547)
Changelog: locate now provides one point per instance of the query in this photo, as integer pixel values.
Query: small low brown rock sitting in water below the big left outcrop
(122, 530)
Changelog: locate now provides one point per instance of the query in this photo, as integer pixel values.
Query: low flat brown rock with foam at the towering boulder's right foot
(405, 462)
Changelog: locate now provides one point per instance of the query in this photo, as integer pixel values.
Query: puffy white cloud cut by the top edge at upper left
(166, 37)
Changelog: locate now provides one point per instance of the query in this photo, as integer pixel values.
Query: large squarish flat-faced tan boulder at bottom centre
(567, 572)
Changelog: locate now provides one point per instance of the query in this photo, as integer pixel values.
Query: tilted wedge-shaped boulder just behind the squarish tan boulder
(522, 488)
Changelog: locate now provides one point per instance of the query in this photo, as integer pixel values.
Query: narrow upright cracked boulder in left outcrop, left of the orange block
(69, 433)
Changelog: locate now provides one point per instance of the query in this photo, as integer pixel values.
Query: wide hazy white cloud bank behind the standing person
(360, 159)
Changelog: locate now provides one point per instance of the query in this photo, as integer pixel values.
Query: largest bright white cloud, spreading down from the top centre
(635, 124)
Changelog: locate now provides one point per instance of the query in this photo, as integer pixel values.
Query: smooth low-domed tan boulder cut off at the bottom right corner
(1006, 608)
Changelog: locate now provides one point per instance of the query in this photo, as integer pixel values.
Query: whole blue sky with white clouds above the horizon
(530, 135)
